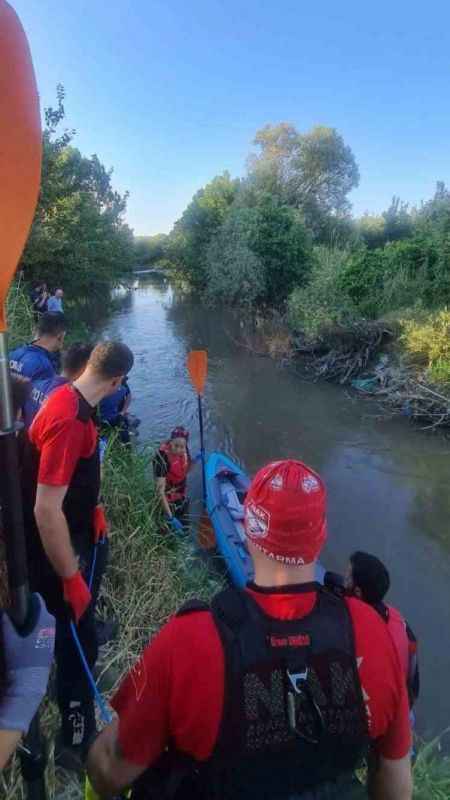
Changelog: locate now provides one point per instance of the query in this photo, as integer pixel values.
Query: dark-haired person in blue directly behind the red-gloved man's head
(74, 362)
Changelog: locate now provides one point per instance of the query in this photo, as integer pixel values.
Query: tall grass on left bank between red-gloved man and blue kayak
(152, 572)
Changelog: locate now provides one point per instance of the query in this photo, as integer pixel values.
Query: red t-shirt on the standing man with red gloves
(61, 437)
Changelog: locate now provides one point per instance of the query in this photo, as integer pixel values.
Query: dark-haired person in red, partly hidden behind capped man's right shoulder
(368, 578)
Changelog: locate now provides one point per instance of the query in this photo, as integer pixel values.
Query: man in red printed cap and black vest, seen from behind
(273, 692)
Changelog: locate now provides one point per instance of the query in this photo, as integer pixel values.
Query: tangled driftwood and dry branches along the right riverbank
(402, 364)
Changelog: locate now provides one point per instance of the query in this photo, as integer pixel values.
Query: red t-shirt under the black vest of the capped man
(176, 690)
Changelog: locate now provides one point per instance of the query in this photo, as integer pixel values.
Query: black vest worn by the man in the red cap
(294, 722)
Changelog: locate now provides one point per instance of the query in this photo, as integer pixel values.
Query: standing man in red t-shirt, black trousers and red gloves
(61, 480)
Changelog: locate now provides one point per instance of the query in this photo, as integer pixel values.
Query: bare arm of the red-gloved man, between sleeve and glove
(54, 530)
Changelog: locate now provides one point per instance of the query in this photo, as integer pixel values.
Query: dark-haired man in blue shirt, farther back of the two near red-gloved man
(40, 359)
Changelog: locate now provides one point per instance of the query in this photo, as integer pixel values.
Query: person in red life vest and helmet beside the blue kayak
(171, 466)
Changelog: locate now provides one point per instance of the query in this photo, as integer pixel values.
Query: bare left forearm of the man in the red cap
(109, 772)
